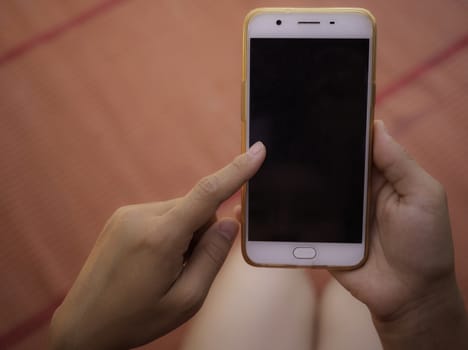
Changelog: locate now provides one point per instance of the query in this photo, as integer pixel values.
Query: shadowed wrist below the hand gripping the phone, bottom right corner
(436, 320)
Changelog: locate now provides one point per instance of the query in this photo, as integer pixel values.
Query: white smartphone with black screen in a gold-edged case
(308, 94)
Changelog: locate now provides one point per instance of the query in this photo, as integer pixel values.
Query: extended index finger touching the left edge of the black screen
(200, 204)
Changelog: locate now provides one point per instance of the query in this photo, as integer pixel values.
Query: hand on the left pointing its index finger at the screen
(140, 282)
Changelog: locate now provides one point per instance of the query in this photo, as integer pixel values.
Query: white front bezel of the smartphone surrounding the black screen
(332, 24)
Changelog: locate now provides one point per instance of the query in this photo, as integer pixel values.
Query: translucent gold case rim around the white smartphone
(247, 19)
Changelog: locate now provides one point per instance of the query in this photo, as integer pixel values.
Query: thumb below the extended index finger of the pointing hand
(207, 258)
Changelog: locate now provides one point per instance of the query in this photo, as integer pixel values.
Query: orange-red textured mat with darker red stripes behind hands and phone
(106, 103)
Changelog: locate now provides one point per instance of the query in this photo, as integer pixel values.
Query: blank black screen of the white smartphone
(308, 104)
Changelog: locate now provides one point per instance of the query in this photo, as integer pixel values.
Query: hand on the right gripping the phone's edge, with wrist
(408, 282)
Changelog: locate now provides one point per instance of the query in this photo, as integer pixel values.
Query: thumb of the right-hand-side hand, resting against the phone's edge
(398, 168)
